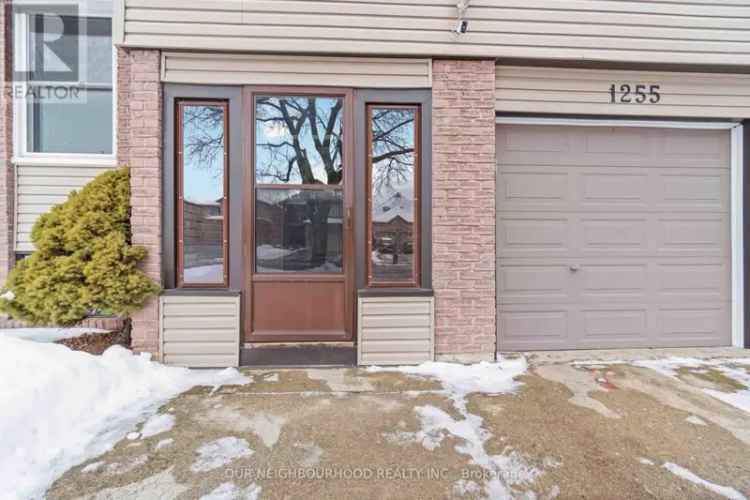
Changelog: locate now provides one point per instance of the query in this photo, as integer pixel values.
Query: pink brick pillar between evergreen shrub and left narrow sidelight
(139, 134)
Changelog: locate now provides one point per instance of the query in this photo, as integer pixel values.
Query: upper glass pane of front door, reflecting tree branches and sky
(298, 140)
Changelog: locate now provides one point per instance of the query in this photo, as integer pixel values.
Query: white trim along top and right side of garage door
(737, 199)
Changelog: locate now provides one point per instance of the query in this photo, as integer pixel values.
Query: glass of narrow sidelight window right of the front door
(393, 174)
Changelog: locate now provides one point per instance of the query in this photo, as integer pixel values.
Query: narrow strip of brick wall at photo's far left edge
(7, 172)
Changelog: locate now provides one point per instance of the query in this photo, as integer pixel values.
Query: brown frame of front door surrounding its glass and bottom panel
(248, 248)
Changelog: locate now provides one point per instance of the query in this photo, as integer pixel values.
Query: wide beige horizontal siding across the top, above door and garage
(687, 31)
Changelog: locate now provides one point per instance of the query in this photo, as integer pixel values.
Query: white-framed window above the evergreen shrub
(66, 107)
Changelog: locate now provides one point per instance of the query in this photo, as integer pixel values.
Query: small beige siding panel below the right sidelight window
(395, 330)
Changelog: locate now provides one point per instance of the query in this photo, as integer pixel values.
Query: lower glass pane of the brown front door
(298, 230)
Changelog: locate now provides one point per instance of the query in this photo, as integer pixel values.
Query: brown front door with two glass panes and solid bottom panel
(298, 236)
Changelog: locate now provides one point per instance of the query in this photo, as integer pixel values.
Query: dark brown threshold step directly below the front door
(299, 355)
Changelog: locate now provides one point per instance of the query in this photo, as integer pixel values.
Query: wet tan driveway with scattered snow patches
(640, 424)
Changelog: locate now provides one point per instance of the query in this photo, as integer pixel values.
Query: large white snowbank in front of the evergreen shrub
(62, 407)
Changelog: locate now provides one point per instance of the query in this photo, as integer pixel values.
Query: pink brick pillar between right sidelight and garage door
(463, 209)
